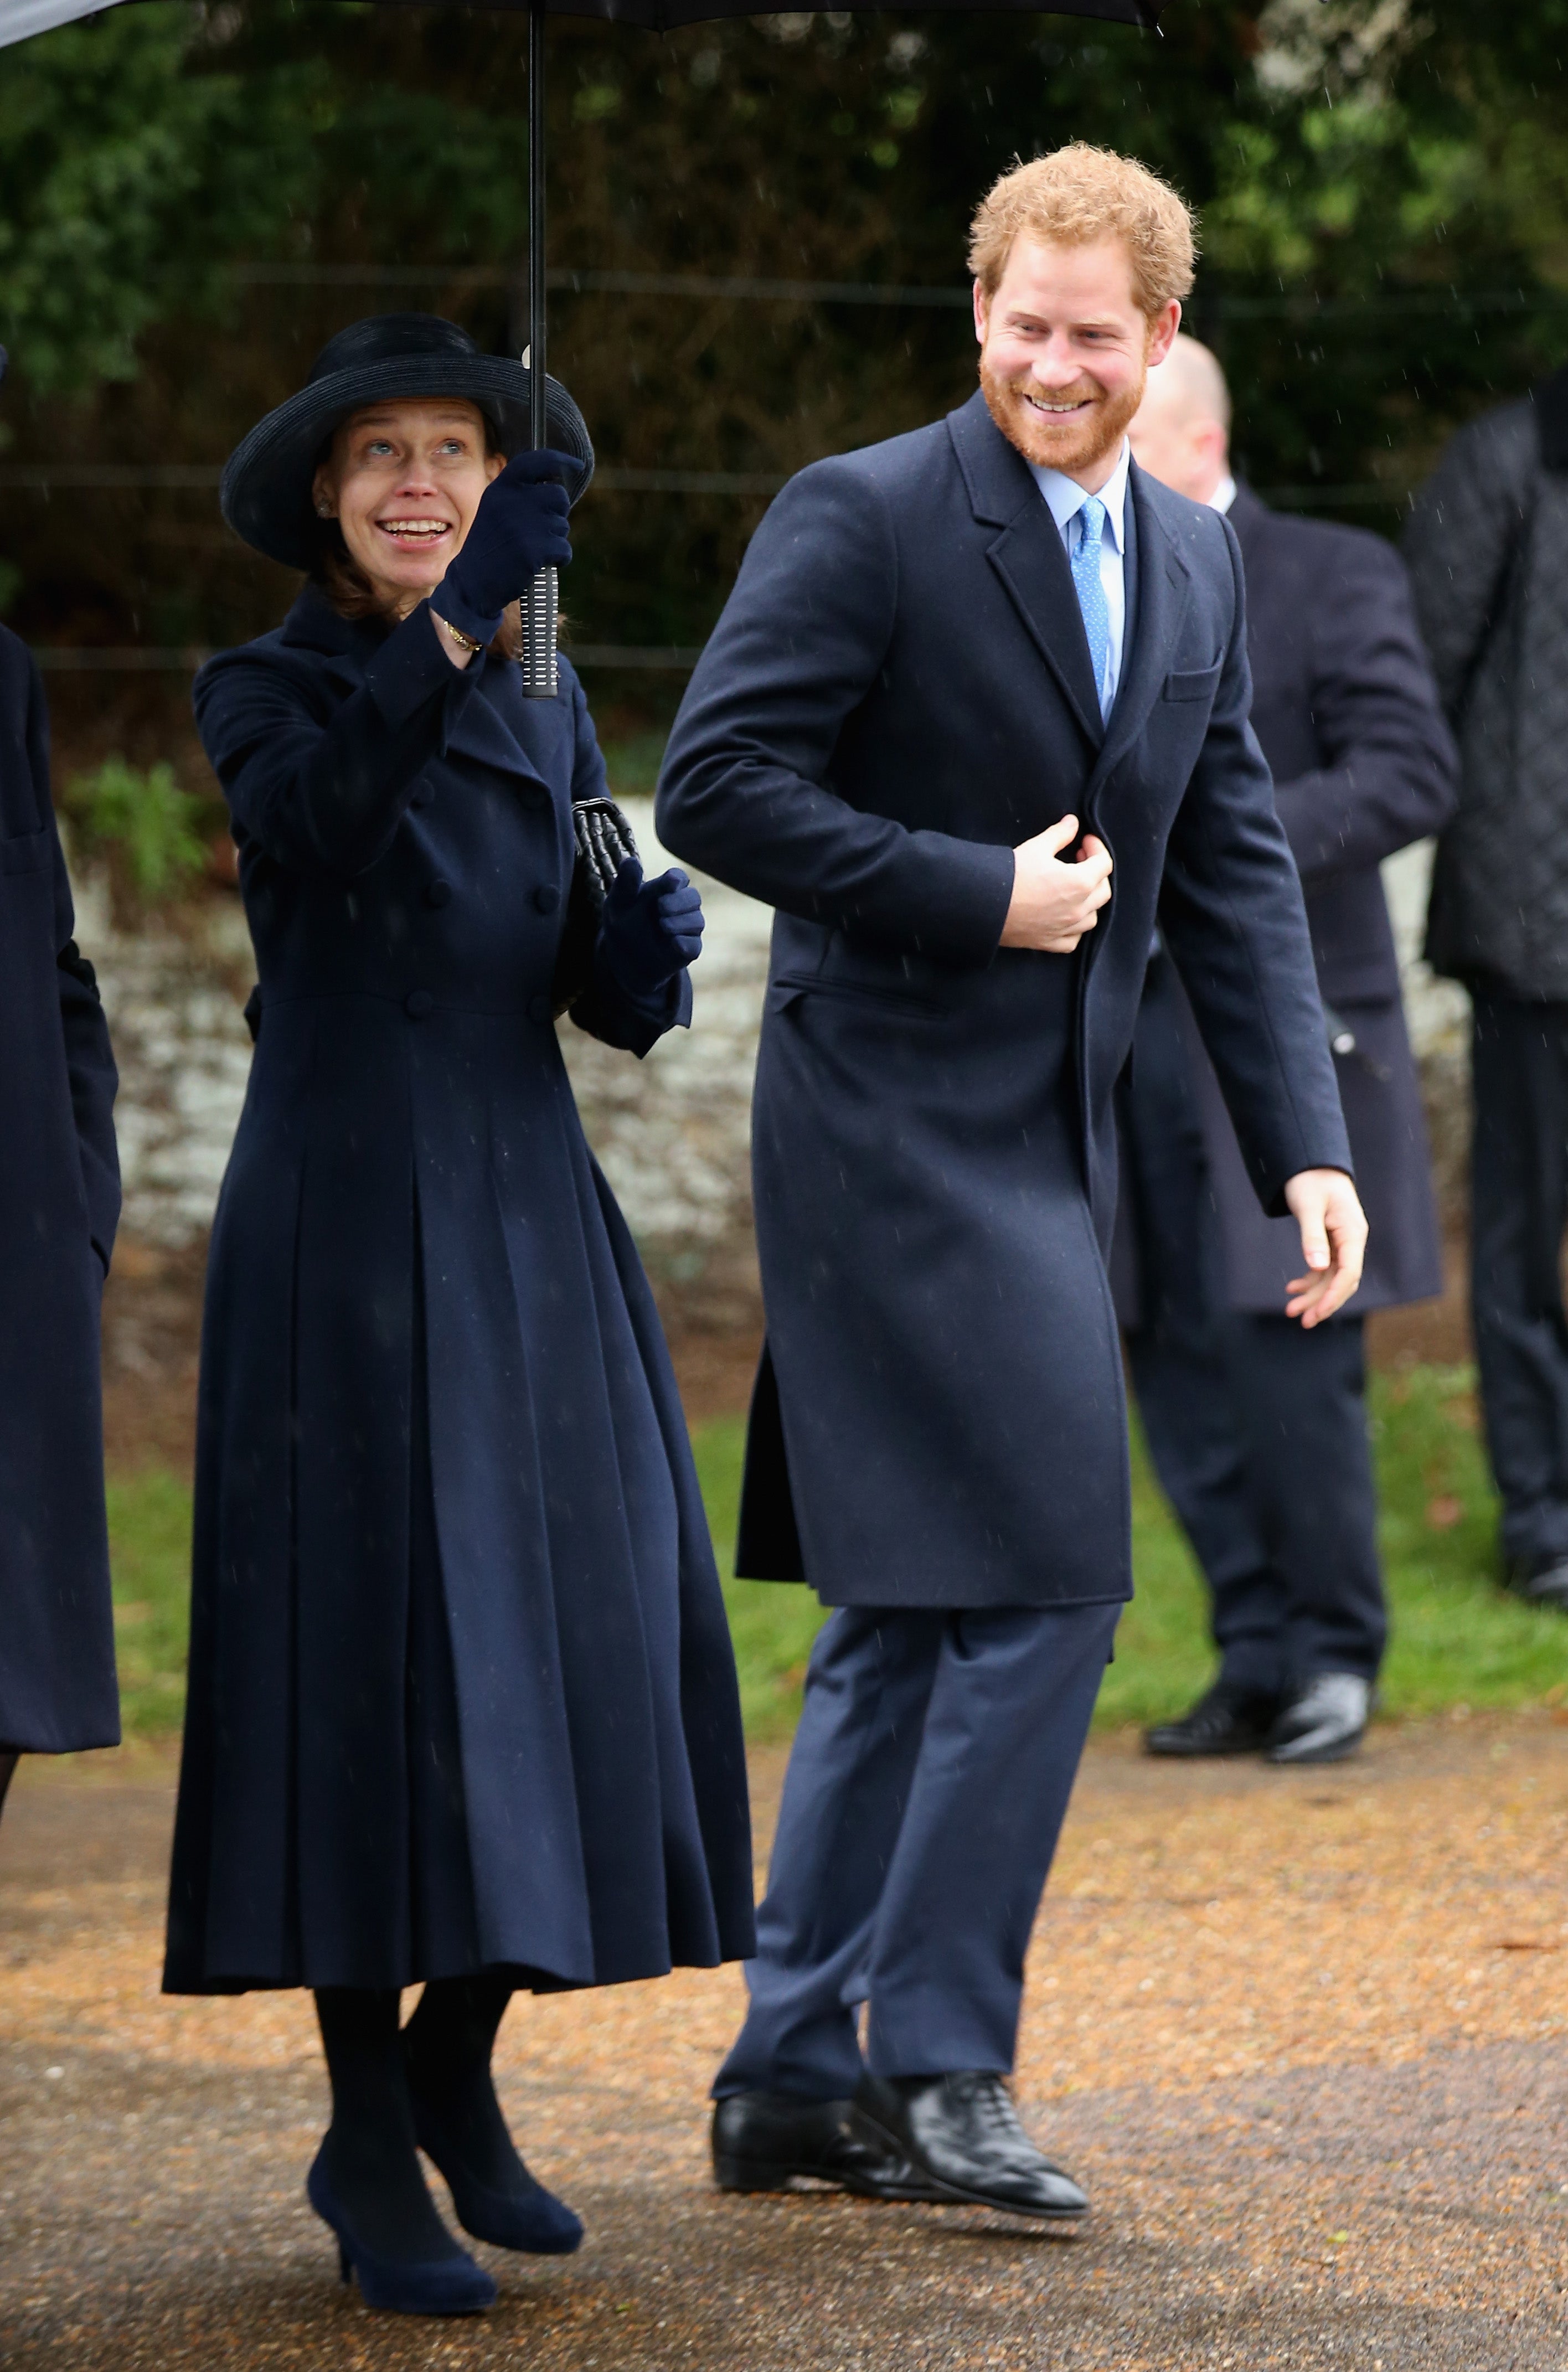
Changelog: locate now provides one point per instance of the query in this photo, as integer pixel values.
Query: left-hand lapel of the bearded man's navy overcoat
(1028, 556)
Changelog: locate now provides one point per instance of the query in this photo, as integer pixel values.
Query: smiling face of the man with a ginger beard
(1064, 352)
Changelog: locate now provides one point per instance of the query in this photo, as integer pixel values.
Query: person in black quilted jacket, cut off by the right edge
(1489, 554)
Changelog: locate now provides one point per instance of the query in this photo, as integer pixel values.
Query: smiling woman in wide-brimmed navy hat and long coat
(461, 1697)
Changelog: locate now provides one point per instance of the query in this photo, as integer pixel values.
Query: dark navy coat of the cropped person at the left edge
(58, 1218)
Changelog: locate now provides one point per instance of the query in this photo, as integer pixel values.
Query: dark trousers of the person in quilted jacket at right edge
(1519, 1209)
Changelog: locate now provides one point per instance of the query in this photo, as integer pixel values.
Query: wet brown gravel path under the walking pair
(1306, 2039)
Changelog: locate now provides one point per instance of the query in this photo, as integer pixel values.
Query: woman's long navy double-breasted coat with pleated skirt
(461, 1688)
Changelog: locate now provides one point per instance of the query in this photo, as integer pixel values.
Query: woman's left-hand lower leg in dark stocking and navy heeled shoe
(366, 2181)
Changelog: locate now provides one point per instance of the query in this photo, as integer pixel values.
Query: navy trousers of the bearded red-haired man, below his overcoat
(929, 1783)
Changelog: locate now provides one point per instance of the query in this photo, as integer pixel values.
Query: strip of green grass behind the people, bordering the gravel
(1458, 1640)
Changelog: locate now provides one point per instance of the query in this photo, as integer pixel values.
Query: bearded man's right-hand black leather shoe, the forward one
(964, 2136)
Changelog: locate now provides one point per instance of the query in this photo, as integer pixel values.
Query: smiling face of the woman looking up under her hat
(404, 485)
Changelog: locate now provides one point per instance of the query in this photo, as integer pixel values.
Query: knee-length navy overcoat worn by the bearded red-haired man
(898, 694)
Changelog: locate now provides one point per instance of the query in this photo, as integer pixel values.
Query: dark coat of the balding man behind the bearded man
(1349, 718)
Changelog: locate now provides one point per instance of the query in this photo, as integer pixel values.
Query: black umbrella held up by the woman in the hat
(23, 18)
